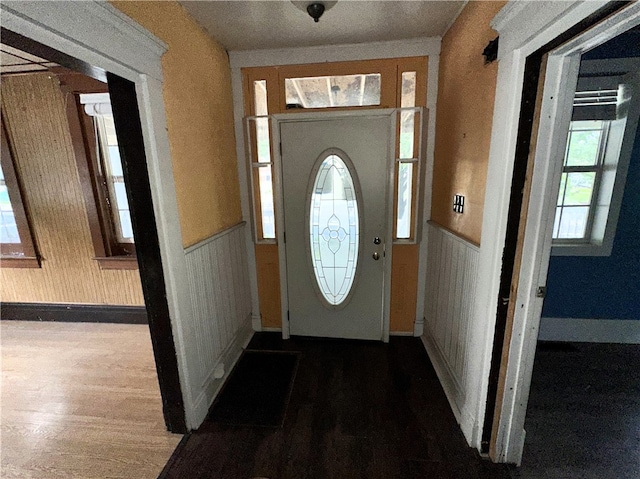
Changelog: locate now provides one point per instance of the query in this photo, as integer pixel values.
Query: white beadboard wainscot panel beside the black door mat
(221, 323)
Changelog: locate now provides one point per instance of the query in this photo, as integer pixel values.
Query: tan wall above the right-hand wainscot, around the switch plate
(466, 92)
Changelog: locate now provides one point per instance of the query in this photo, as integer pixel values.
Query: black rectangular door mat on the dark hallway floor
(257, 390)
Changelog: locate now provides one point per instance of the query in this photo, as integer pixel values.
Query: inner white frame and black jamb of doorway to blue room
(562, 70)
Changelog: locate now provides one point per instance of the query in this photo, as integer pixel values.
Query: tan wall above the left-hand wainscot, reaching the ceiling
(198, 104)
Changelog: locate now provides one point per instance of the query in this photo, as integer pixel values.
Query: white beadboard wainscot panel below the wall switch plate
(452, 271)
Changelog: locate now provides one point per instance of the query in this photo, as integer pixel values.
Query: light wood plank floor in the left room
(80, 400)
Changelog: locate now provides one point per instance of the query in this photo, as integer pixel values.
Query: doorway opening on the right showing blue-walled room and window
(591, 303)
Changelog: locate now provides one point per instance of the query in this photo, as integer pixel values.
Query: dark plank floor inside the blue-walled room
(583, 418)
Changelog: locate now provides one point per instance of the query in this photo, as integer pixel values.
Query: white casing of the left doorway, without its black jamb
(112, 41)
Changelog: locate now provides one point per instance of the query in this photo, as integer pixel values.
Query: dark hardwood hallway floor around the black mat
(357, 410)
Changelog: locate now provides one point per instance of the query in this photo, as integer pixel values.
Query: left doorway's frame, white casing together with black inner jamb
(111, 41)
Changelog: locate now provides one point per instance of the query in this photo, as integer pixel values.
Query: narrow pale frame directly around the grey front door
(281, 118)
